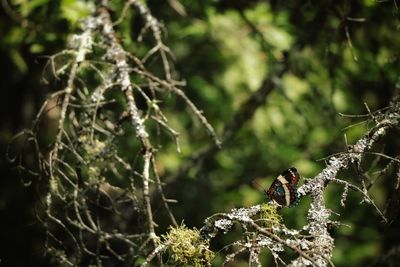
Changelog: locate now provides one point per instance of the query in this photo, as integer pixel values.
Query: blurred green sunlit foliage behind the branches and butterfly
(339, 54)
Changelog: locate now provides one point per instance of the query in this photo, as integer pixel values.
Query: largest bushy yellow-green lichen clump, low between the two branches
(187, 248)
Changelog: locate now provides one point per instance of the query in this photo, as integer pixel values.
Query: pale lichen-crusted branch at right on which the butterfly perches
(313, 243)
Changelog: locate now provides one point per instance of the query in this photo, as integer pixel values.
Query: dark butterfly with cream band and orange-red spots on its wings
(283, 189)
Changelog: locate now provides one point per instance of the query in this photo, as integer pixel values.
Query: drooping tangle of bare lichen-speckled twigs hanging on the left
(101, 168)
